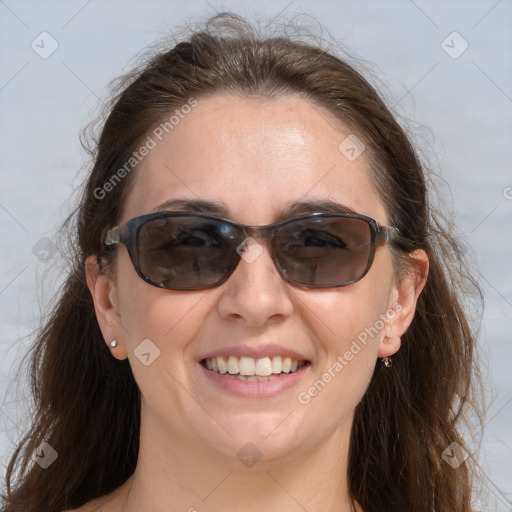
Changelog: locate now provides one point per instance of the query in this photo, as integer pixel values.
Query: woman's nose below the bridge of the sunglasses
(255, 294)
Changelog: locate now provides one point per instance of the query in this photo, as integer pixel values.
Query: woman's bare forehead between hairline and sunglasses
(254, 157)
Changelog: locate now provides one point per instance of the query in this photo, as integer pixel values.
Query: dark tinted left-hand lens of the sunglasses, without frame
(186, 253)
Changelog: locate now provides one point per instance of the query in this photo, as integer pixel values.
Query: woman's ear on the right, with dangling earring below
(404, 297)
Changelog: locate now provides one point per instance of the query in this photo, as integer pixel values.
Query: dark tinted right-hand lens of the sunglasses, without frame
(324, 251)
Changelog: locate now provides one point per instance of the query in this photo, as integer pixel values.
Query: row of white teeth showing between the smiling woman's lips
(251, 369)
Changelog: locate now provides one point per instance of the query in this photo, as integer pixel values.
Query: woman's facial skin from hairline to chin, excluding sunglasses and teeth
(255, 158)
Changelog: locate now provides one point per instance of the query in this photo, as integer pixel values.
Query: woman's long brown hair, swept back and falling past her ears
(87, 402)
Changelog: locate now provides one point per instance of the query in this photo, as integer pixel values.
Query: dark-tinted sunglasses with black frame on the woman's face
(194, 251)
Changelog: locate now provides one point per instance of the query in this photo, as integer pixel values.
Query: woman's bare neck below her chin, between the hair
(186, 476)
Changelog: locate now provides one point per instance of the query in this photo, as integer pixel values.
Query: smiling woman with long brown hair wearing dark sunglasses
(264, 313)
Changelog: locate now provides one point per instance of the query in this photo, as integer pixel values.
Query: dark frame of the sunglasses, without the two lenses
(128, 234)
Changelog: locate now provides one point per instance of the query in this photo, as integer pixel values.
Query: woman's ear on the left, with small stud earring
(104, 295)
